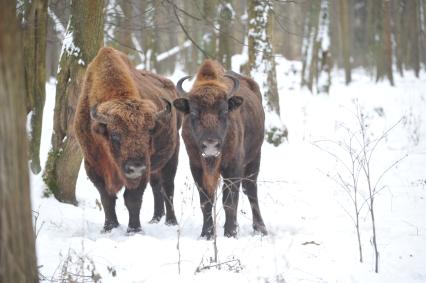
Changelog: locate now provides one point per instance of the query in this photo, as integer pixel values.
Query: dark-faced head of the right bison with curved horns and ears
(208, 106)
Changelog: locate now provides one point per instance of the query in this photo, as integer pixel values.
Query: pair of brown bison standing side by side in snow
(127, 123)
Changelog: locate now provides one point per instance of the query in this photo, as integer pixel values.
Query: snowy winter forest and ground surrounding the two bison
(343, 184)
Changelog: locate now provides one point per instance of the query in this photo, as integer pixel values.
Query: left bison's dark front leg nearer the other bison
(133, 202)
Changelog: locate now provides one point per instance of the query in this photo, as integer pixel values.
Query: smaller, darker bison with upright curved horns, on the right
(223, 131)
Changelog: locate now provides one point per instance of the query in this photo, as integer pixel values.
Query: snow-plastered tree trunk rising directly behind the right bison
(261, 60)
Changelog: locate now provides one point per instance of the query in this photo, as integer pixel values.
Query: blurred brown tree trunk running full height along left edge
(17, 248)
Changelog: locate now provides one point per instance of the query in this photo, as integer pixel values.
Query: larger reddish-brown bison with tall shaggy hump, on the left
(128, 132)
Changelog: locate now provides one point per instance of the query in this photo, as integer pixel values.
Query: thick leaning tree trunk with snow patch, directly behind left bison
(83, 38)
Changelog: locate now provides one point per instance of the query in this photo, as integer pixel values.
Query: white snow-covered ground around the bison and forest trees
(311, 235)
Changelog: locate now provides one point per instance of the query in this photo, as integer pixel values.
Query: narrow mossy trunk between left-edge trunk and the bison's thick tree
(34, 42)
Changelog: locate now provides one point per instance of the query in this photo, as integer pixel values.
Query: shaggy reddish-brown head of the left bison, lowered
(126, 128)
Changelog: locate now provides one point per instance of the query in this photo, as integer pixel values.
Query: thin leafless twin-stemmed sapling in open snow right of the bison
(354, 154)
